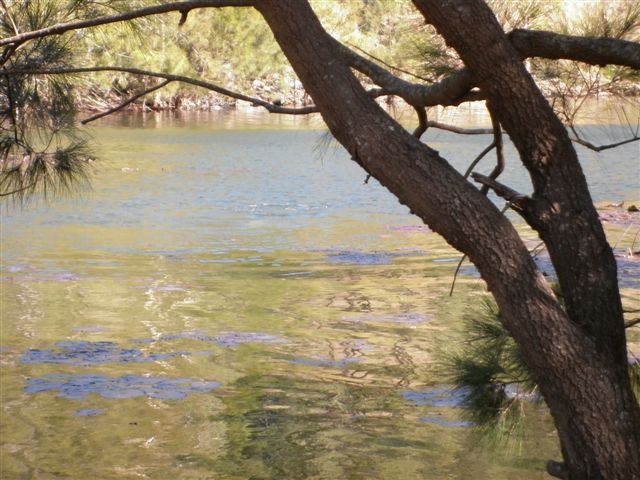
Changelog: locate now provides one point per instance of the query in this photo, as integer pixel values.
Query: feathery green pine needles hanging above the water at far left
(41, 150)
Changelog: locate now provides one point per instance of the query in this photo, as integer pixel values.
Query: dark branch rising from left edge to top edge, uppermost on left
(121, 17)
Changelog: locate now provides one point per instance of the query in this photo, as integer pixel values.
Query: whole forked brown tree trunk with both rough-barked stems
(578, 359)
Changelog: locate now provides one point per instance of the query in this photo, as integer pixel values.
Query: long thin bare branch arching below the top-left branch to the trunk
(271, 107)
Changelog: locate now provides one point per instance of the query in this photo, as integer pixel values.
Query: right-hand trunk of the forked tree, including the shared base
(598, 441)
